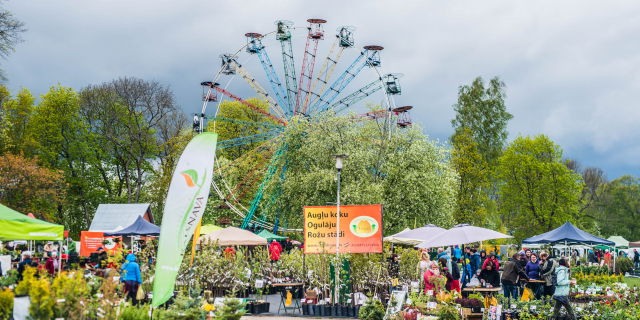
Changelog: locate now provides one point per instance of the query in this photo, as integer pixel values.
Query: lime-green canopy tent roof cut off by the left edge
(17, 226)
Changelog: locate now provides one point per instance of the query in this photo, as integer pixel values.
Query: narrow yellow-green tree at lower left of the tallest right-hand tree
(472, 191)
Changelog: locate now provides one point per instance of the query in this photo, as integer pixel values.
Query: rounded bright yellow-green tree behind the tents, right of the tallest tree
(537, 190)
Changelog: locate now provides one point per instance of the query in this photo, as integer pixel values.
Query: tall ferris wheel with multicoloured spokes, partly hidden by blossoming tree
(309, 93)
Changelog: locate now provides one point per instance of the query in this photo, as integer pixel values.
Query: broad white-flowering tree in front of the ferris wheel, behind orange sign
(403, 170)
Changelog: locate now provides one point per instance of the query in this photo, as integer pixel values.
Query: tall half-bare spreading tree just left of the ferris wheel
(128, 113)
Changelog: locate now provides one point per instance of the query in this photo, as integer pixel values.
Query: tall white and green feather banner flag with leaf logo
(185, 203)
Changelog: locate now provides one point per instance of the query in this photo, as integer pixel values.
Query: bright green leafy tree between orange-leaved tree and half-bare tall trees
(64, 141)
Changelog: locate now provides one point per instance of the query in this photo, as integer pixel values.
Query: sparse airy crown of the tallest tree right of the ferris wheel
(482, 109)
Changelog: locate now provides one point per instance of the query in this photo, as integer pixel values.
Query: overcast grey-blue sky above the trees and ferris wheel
(572, 68)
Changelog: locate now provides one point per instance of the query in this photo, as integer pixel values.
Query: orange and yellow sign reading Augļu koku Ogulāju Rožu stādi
(360, 229)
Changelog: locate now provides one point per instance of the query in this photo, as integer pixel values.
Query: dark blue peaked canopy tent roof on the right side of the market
(567, 234)
